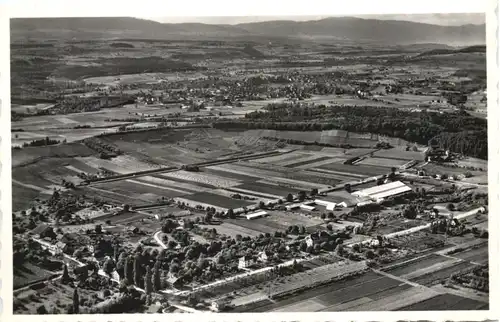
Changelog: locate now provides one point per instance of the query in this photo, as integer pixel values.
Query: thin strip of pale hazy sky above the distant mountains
(438, 19)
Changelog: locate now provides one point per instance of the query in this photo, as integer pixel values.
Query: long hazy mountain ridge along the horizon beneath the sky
(329, 29)
